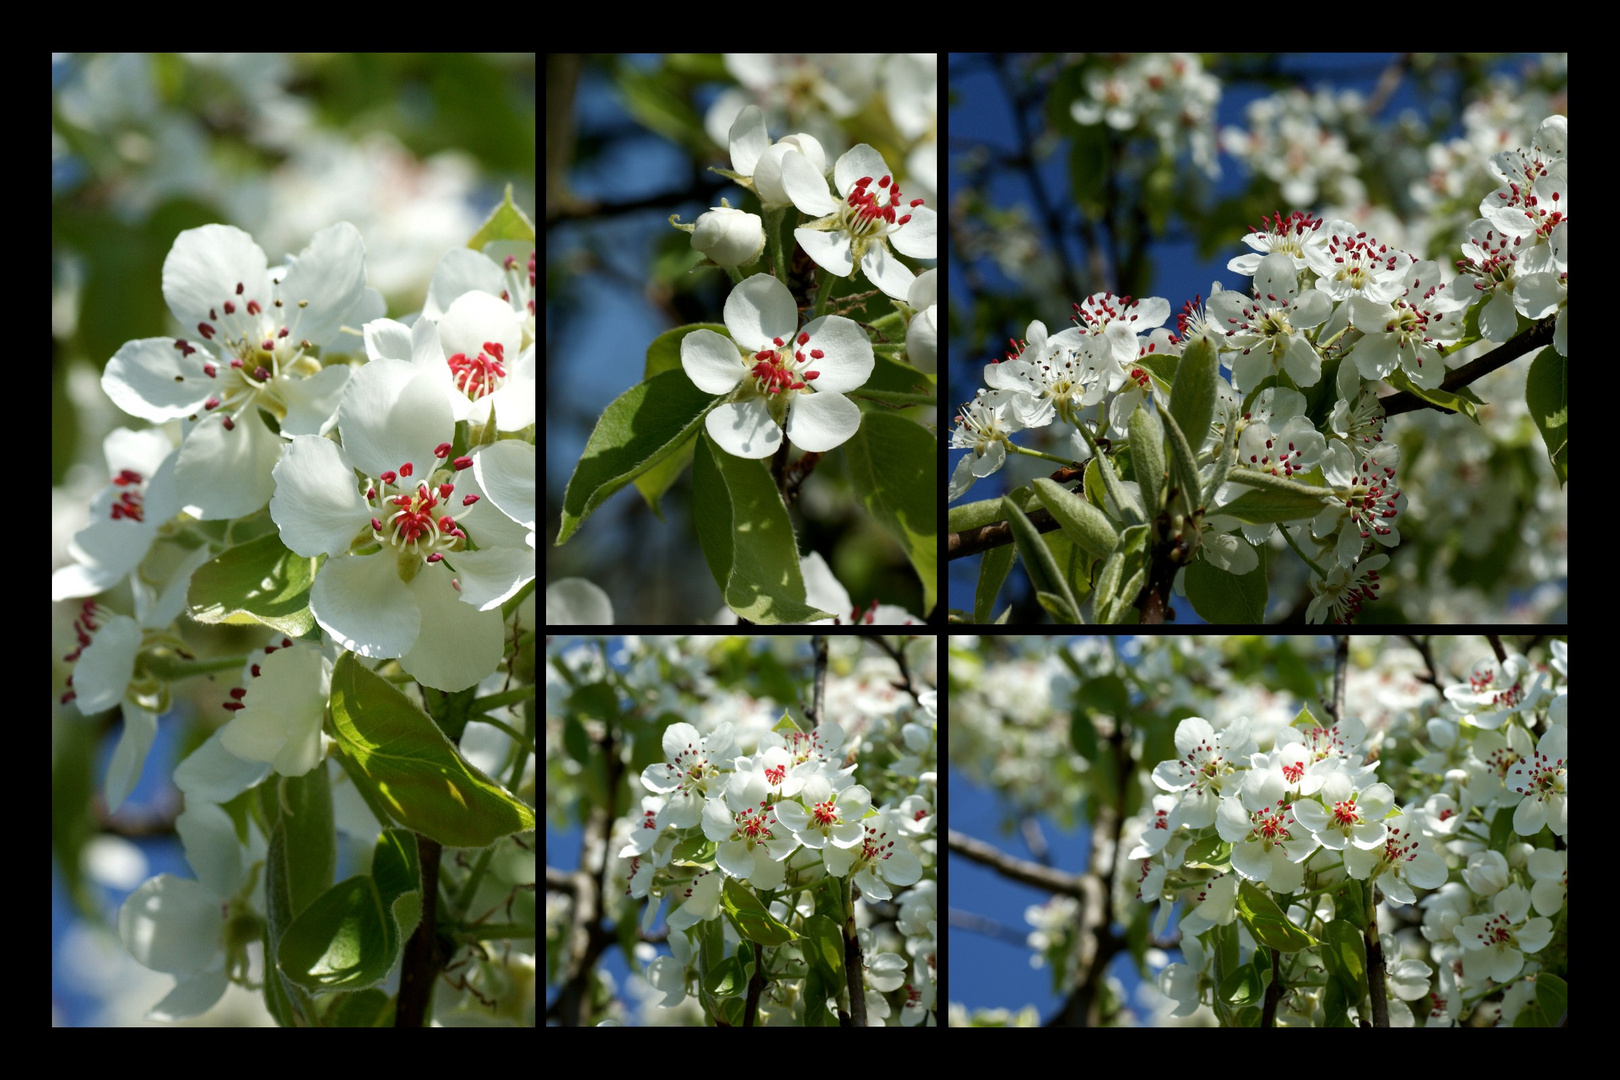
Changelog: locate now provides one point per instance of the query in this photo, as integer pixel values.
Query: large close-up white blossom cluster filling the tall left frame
(354, 483)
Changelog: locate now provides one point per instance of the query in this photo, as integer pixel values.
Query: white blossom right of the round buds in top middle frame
(871, 213)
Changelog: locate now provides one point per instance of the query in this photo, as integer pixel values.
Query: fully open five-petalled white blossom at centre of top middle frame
(783, 378)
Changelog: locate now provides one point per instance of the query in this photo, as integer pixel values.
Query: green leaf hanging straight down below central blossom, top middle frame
(748, 537)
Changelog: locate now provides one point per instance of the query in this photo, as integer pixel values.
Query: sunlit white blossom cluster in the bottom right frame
(1303, 809)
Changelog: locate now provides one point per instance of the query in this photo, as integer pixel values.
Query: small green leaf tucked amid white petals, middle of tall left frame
(258, 582)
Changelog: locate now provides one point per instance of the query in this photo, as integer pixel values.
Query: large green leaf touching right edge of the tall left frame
(406, 765)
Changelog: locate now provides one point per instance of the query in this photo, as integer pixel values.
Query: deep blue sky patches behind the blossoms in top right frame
(983, 117)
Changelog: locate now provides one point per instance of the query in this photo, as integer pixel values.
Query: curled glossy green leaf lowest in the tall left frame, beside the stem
(354, 933)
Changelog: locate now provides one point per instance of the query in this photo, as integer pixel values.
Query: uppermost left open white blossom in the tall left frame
(250, 347)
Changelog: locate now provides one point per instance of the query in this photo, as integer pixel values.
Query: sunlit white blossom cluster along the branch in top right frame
(1331, 304)
